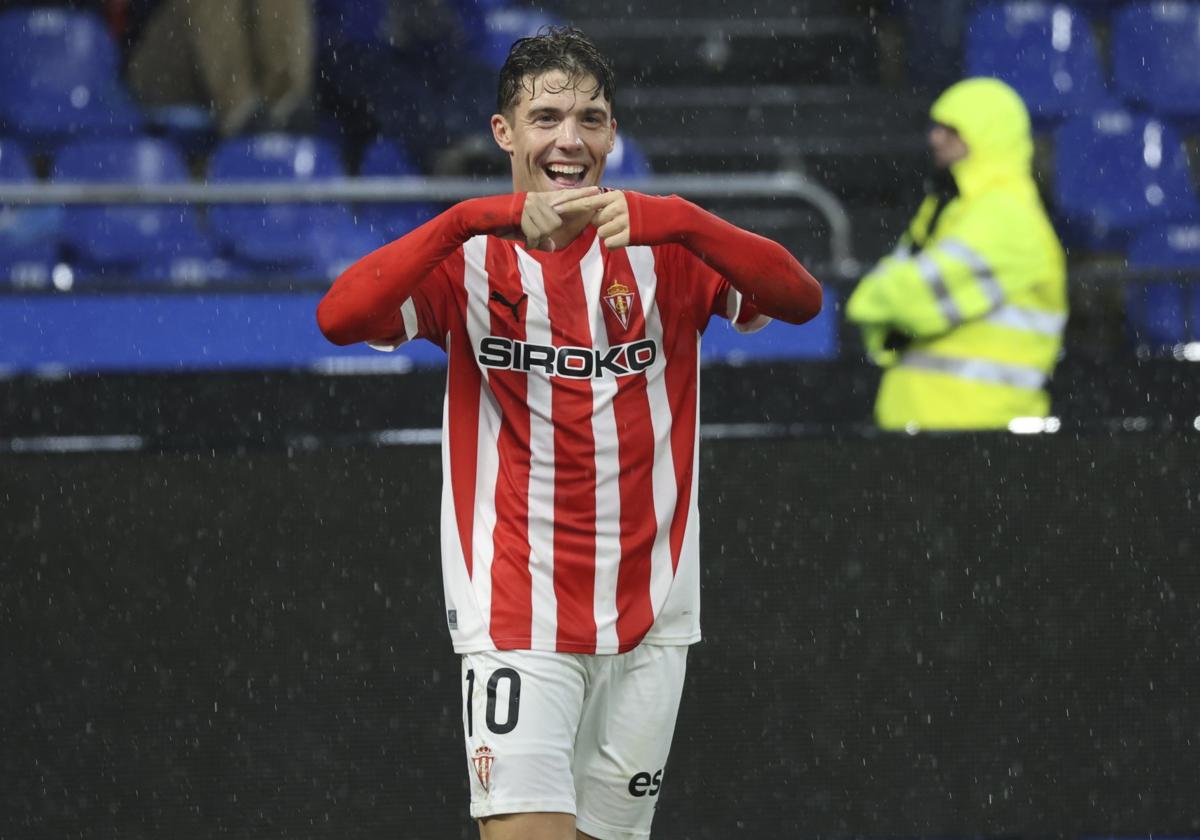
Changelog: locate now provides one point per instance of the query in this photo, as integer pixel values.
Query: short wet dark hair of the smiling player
(562, 49)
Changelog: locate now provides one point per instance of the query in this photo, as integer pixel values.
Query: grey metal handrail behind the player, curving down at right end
(422, 189)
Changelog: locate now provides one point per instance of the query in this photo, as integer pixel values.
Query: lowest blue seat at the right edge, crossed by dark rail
(1163, 315)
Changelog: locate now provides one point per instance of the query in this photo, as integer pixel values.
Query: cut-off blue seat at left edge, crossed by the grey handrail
(29, 243)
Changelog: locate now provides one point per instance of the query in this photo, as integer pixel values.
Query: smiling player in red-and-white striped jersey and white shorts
(572, 317)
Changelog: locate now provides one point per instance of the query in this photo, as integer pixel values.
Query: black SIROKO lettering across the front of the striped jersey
(577, 363)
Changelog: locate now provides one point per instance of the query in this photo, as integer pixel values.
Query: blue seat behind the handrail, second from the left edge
(130, 241)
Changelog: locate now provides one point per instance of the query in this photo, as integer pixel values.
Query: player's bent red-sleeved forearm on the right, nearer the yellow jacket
(763, 271)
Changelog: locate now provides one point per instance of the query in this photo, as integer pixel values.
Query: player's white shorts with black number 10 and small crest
(572, 734)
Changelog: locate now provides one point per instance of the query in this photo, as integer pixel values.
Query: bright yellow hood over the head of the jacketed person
(992, 119)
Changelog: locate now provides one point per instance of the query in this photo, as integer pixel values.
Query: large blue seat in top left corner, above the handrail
(61, 76)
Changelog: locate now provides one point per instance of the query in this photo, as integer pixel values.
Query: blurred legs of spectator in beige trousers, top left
(251, 62)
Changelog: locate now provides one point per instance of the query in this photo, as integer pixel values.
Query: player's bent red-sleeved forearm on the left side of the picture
(364, 302)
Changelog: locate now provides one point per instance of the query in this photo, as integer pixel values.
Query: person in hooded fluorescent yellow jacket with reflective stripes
(968, 313)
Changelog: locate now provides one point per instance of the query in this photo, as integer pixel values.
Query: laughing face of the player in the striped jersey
(559, 134)
